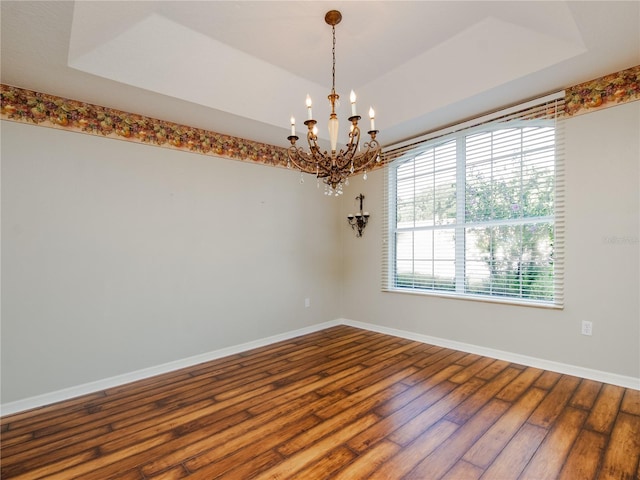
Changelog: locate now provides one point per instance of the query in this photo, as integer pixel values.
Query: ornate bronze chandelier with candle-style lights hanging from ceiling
(334, 167)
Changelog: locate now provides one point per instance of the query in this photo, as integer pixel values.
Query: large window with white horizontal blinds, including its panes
(477, 211)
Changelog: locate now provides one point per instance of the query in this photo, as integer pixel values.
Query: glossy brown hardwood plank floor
(342, 403)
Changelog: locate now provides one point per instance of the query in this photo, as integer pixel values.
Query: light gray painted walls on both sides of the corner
(118, 256)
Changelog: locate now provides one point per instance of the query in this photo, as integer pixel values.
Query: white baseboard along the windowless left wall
(86, 388)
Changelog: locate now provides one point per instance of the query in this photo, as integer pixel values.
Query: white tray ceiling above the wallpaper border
(244, 67)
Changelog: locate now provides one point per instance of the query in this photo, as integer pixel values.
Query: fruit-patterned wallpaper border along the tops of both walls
(26, 106)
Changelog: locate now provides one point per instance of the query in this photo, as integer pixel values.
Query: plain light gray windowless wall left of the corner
(119, 256)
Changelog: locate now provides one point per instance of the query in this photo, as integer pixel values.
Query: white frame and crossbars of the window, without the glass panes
(516, 117)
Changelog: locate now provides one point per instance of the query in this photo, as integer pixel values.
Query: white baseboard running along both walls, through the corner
(76, 391)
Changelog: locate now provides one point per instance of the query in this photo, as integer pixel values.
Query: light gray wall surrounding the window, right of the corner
(602, 263)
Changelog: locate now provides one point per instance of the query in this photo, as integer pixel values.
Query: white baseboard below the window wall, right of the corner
(597, 375)
